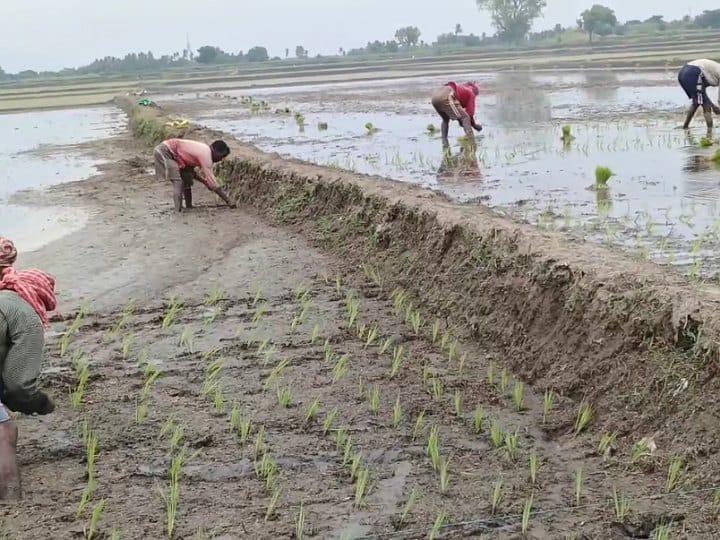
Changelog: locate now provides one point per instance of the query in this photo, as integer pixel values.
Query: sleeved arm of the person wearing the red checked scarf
(22, 365)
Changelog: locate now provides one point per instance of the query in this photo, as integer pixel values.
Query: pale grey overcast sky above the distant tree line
(52, 34)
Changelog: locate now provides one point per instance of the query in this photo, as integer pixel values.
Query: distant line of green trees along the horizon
(512, 20)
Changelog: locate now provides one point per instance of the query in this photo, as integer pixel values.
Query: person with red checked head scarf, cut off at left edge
(25, 299)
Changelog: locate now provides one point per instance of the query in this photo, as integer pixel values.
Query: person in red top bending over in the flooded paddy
(457, 102)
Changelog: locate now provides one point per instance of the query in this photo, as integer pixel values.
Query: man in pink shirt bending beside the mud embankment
(176, 160)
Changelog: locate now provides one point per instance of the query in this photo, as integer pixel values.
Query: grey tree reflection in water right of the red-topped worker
(519, 99)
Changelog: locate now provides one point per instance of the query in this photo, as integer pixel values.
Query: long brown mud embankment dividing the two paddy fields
(636, 340)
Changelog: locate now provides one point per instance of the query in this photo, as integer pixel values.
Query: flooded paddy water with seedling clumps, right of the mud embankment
(663, 199)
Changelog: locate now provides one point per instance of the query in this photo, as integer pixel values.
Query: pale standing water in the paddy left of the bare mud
(35, 153)
